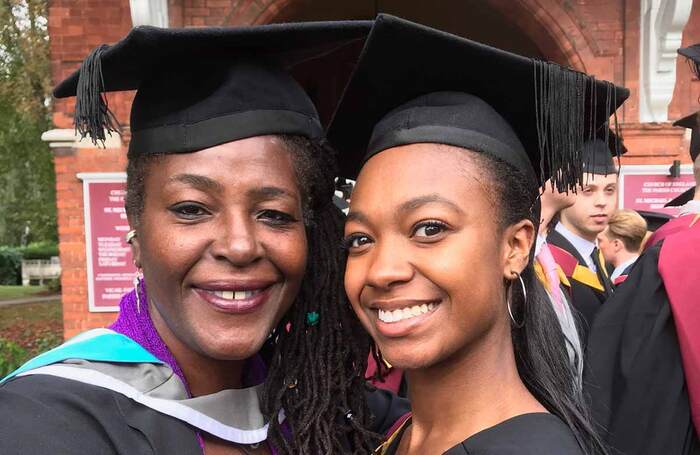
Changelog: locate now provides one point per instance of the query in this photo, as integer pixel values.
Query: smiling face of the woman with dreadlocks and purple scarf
(222, 245)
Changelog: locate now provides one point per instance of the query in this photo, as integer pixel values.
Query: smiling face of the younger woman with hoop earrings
(426, 257)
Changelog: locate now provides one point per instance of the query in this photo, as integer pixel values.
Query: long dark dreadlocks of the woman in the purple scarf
(315, 371)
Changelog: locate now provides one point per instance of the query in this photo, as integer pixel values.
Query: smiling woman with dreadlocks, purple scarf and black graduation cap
(236, 339)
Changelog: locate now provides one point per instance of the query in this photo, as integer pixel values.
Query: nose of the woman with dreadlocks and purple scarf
(236, 241)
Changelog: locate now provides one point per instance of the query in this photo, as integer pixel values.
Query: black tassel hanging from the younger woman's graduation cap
(566, 105)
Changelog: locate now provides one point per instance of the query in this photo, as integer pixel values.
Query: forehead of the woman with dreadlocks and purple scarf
(261, 160)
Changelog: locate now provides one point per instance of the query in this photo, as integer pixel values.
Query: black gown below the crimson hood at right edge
(634, 374)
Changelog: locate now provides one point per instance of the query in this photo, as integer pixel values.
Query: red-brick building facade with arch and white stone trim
(630, 42)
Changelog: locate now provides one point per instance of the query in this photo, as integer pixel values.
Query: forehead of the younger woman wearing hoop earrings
(401, 173)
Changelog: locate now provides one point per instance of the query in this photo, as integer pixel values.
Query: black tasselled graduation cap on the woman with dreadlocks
(201, 87)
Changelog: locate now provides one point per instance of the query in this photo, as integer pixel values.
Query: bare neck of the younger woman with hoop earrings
(485, 379)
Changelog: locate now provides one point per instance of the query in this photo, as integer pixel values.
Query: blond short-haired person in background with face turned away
(621, 242)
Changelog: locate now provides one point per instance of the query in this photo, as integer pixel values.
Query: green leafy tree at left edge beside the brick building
(27, 180)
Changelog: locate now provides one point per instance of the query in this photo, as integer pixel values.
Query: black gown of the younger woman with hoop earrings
(527, 434)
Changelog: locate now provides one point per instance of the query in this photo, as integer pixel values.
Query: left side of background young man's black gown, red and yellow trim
(586, 290)
